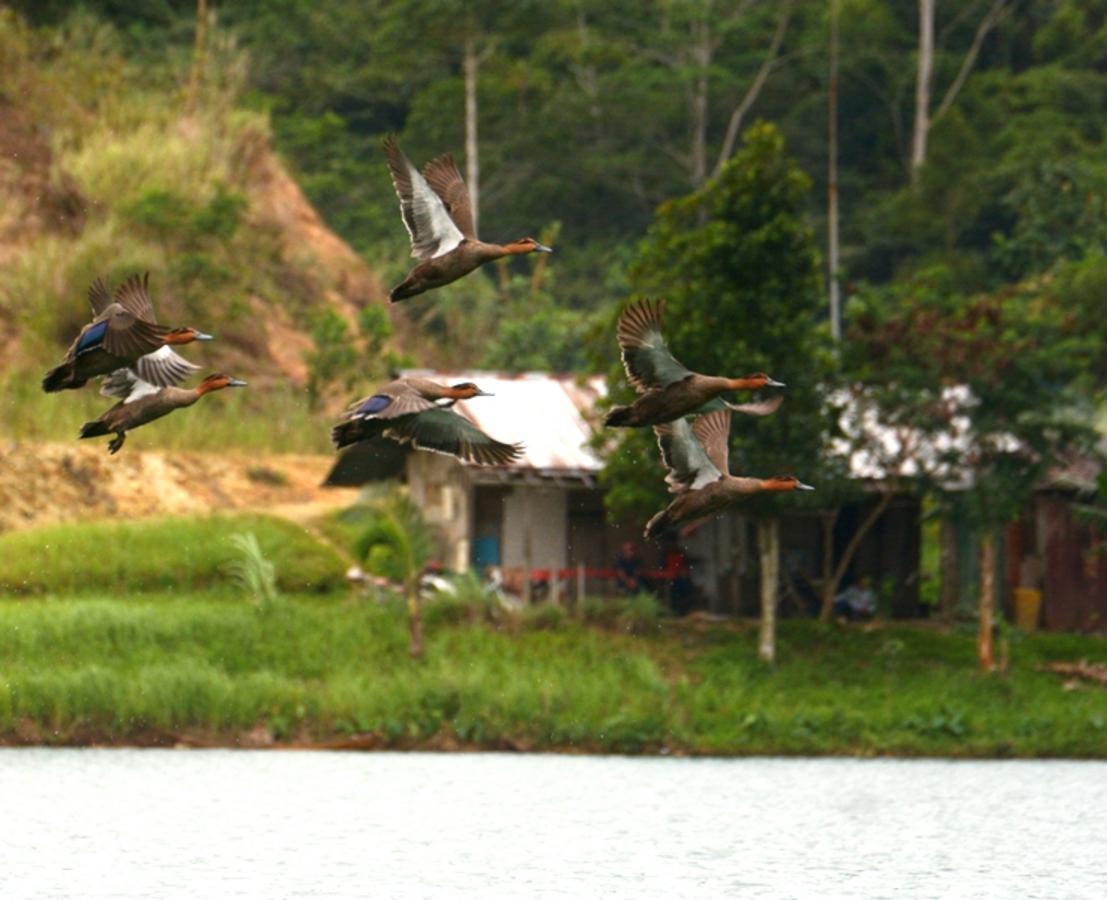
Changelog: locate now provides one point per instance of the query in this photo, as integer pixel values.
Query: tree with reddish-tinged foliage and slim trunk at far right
(982, 396)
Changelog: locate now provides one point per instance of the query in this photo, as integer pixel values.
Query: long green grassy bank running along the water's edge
(211, 669)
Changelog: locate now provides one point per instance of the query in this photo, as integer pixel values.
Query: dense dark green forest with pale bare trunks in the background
(587, 116)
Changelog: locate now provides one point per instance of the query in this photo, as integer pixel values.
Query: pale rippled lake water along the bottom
(225, 824)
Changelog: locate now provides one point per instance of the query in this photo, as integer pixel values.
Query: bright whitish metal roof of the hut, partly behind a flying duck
(545, 412)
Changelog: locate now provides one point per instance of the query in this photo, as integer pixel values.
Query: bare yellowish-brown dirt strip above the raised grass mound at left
(53, 483)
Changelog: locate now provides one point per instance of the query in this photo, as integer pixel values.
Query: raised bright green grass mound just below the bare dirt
(172, 554)
